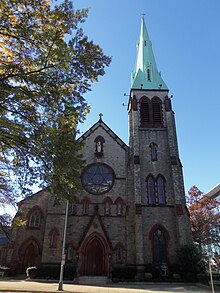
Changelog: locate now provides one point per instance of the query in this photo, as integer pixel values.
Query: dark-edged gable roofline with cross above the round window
(108, 130)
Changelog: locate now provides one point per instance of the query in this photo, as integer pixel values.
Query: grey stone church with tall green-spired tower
(131, 210)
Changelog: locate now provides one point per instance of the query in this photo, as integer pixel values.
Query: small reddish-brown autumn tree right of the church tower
(204, 219)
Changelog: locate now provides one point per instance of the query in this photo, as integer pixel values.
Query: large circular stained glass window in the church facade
(98, 178)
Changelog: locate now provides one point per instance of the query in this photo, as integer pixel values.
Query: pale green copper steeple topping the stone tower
(146, 75)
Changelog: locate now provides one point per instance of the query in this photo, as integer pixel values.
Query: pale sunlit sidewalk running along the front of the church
(10, 285)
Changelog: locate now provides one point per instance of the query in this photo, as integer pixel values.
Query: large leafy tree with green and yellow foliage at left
(47, 64)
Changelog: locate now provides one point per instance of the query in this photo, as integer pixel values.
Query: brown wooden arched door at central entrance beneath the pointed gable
(94, 265)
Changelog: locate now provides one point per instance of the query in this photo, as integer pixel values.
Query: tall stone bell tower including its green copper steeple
(157, 218)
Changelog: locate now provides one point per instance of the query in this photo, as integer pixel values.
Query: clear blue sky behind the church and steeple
(186, 42)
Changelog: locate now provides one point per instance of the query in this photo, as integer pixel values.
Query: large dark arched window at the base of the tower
(159, 248)
